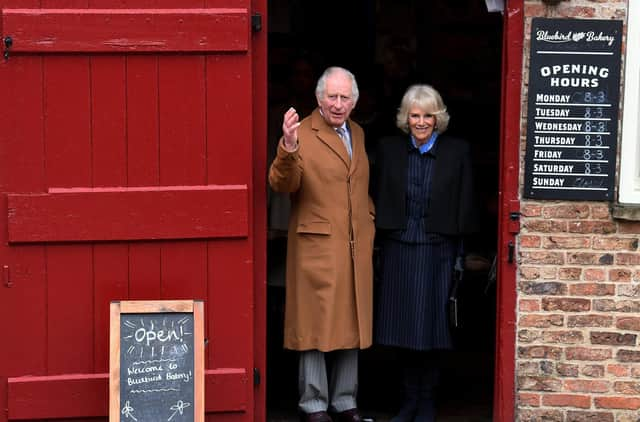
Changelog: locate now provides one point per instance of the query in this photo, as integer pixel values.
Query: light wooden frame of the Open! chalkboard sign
(161, 306)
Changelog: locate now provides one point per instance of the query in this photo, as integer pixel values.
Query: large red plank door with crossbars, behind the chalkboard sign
(130, 135)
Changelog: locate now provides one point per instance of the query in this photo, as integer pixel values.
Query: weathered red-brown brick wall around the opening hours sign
(578, 329)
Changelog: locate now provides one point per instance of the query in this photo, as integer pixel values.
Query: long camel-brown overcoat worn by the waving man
(329, 290)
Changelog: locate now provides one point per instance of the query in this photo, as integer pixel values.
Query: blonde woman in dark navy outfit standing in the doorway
(422, 188)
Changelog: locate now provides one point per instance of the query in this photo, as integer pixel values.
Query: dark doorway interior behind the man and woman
(388, 45)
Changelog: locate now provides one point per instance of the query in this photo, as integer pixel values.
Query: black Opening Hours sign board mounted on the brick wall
(572, 118)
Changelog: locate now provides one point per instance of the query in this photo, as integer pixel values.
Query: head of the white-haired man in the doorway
(337, 101)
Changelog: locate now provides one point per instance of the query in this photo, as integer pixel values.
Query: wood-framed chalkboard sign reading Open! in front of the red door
(156, 361)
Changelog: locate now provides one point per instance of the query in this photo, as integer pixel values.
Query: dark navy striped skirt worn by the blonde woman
(412, 295)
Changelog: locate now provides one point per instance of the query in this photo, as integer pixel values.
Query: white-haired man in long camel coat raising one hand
(322, 163)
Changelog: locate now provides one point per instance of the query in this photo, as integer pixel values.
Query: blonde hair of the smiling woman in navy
(426, 98)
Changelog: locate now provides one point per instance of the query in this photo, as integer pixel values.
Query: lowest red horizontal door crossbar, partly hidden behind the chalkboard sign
(87, 395)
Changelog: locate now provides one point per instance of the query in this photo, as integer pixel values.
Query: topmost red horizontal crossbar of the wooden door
(126, 30)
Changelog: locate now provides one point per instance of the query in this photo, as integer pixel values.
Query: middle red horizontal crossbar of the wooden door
(128, 214)
